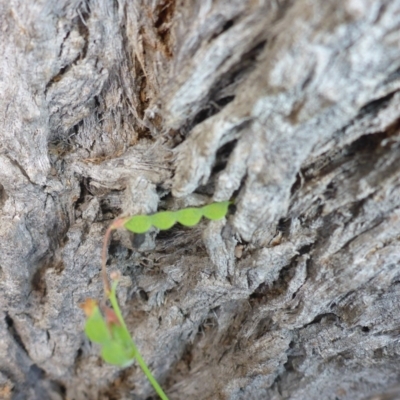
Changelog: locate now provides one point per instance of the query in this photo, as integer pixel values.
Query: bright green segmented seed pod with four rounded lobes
(166, 219)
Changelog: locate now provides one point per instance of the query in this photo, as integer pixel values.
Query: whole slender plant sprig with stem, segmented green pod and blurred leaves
(105, 325)
